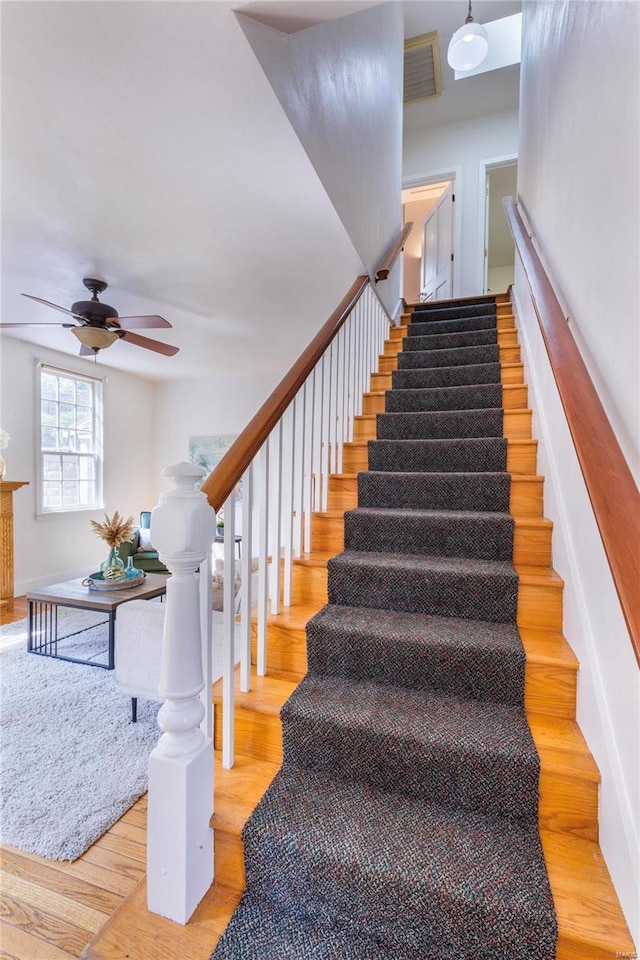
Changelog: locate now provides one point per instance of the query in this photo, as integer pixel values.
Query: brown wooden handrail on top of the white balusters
(225, 476)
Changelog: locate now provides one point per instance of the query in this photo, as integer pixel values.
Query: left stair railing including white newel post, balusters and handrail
(279, 469)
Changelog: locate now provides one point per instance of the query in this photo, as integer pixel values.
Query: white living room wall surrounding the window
(62, 546)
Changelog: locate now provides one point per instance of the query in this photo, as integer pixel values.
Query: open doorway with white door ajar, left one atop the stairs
(428, 252)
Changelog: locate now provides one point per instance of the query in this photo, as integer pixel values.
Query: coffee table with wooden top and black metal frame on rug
(43, 636)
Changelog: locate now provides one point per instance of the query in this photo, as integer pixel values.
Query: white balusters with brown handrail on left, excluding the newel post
(282, 462)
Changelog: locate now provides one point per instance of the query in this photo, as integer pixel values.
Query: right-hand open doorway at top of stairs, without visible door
(498, 266)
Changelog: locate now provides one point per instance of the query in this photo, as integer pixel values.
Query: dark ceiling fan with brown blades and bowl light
(98, 325)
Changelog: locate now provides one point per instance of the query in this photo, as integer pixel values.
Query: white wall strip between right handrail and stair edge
(593, 622)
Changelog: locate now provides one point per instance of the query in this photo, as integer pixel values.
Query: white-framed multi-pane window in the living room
(70, 476)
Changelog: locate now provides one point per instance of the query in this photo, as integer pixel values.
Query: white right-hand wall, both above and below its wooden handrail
(579, 129)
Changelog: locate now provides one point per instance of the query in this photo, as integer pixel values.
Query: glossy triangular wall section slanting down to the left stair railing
(340, 84)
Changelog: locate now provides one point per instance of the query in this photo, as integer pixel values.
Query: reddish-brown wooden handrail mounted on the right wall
(612, 490)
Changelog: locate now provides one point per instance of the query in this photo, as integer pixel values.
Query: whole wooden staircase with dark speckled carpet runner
(345, 855)
